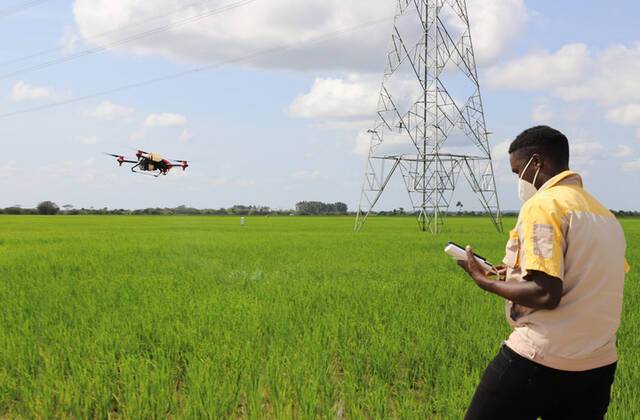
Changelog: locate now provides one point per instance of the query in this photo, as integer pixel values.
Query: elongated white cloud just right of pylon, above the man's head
(542, 69)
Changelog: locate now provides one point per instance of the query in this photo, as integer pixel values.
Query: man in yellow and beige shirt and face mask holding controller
(564, 274)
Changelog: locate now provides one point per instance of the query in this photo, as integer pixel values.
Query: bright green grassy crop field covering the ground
(170, 317)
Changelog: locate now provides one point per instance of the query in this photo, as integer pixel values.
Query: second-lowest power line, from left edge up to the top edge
(135, 37)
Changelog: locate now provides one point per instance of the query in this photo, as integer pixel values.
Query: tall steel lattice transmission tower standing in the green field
(430, 124)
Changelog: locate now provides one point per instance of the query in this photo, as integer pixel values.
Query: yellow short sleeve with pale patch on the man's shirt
(543, 239)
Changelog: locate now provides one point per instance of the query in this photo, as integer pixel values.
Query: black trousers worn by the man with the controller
(513, 387)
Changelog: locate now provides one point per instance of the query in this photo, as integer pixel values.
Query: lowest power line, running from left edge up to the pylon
(195, 70)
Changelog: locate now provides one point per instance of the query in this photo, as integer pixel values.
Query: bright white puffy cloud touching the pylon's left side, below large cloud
(357, 96)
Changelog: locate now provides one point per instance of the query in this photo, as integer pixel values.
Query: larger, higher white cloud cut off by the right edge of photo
(613, 80)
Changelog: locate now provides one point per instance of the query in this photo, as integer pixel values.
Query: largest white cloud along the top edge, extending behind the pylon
(265, 24)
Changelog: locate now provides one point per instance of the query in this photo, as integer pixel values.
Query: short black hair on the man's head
(545, 140)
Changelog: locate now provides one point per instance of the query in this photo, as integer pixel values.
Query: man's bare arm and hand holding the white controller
(540, 291)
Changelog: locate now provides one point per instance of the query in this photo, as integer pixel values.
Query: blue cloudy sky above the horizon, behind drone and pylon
(283, 92)
